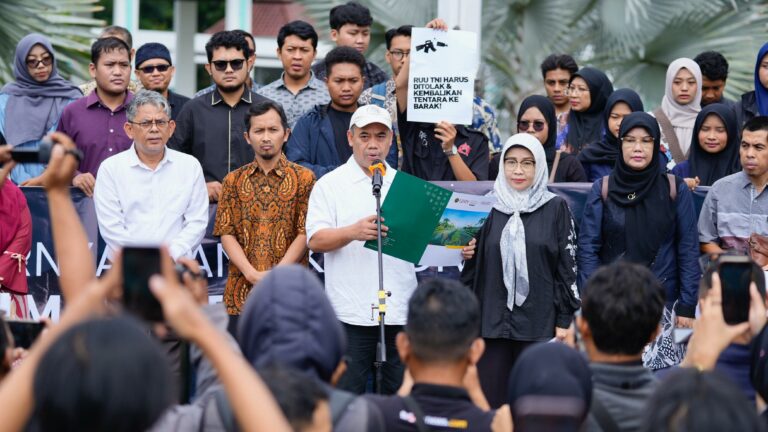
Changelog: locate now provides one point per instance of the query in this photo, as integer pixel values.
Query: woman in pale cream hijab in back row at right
(679, 108)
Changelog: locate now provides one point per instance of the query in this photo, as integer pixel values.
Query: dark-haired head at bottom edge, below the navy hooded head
(301, 398)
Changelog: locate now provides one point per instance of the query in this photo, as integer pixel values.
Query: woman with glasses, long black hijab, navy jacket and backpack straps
(641, 215)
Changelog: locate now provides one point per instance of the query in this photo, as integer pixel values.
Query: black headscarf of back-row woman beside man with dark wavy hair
(587, 126)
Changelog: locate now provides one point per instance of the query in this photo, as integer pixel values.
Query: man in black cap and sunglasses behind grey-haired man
(155, 70)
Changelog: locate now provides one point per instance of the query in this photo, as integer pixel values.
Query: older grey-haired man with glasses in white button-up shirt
(150, 194)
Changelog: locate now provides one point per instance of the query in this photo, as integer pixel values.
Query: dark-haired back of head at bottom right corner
(689, 400)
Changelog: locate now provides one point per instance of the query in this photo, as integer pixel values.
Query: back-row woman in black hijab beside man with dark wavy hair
(588, 92)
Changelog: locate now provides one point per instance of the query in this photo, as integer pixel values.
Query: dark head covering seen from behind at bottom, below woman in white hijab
(553, 370)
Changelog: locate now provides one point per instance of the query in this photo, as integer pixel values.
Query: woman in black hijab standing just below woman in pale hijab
(714, 147)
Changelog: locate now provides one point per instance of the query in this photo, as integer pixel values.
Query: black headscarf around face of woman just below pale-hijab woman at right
(711, 167)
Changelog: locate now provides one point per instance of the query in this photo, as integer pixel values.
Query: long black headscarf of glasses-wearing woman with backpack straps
(649, 210)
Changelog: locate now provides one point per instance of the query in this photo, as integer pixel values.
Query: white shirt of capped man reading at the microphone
(341, 198)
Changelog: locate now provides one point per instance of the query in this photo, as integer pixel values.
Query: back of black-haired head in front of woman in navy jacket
(621, 306)
